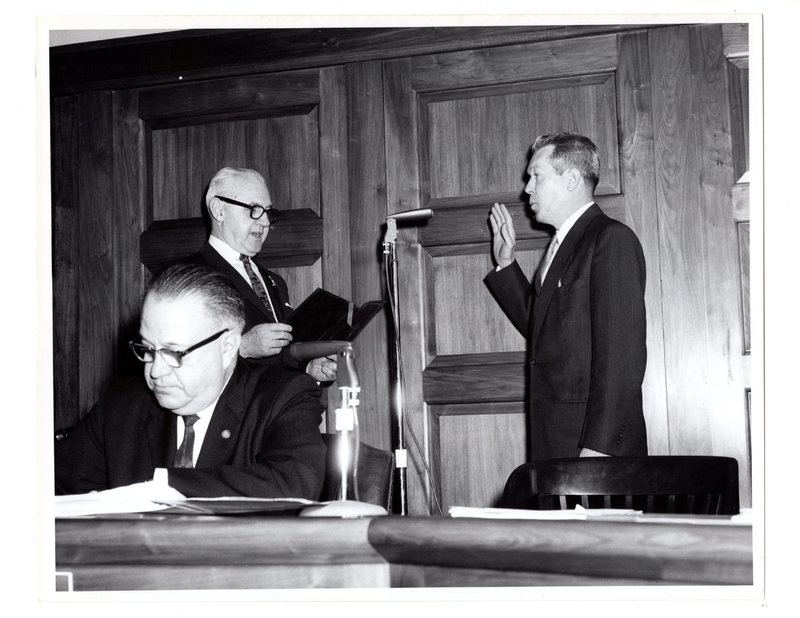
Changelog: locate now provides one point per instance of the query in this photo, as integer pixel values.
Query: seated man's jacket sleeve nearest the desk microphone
(284, 458)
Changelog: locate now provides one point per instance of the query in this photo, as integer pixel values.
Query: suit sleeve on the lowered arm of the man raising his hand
(614, 420)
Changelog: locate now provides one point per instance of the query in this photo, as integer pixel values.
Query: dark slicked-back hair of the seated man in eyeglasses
(216, 294)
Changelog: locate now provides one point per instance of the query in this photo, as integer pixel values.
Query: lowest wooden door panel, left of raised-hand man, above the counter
(479, 441)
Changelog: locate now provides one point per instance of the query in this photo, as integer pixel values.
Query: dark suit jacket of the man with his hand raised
(586, 330)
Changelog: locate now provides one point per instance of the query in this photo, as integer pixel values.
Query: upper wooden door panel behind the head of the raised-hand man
(473, 139)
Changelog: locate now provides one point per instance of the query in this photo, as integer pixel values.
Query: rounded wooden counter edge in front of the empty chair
(650, 552)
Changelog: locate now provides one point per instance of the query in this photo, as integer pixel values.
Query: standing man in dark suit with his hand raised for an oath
(584, 314)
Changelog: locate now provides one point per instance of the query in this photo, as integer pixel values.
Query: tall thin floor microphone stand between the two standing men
(400, 452)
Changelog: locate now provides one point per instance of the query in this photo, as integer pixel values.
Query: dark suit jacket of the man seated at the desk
(263, 439)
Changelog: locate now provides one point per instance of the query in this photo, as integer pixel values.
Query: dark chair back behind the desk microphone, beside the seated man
(373, 476)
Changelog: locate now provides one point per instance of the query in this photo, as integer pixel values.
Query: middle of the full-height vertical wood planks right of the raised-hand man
(686, 363)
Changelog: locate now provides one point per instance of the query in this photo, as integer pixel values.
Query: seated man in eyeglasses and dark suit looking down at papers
(204, 420)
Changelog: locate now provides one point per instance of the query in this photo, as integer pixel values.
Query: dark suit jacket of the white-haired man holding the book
(255, 311)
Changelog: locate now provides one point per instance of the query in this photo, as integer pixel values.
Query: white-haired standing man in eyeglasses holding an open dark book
(240, 208)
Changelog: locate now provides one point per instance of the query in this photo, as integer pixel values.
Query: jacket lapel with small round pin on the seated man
(226, 422)
